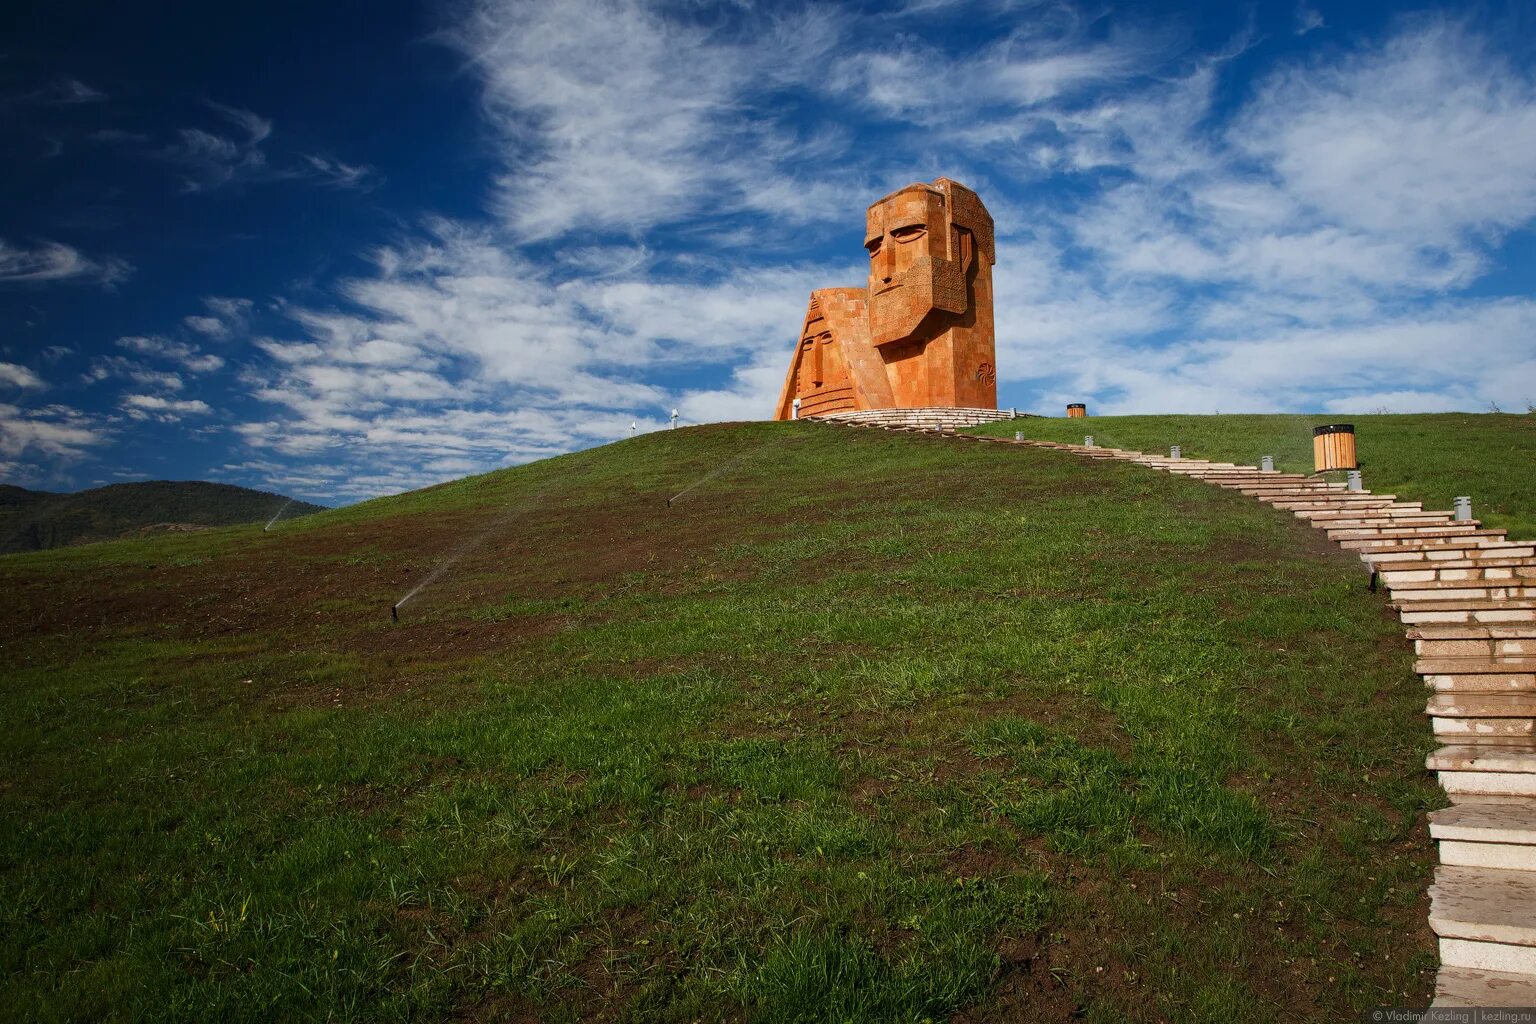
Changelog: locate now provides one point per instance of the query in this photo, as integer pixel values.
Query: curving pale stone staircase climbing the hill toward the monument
(1468, 598)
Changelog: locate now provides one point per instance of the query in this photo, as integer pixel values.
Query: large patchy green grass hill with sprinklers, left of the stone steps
(864, 728)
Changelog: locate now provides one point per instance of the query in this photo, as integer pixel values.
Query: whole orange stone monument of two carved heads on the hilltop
(921, 334)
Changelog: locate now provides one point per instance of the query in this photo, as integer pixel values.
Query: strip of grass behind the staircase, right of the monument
(1431, 458)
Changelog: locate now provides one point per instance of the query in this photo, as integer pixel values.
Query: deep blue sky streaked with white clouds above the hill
(340, 251)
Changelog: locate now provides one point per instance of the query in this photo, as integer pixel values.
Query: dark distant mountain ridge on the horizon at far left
(31, 521)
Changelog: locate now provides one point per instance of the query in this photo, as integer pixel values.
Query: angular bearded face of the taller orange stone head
(910, 269)
